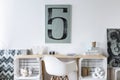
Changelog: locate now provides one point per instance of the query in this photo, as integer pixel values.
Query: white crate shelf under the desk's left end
(27, 69)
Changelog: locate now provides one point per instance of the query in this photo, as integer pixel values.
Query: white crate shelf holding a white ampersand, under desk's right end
(93, 68)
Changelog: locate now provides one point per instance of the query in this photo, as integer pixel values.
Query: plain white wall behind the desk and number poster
(23, 23)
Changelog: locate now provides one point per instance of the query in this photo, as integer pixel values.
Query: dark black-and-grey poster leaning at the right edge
(113, 47)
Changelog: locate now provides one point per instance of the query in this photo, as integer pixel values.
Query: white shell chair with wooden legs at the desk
(58, 69)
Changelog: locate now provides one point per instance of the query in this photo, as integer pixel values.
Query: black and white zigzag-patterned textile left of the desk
(6, 63)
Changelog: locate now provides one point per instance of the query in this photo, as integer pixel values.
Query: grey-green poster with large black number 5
(58, 23)
